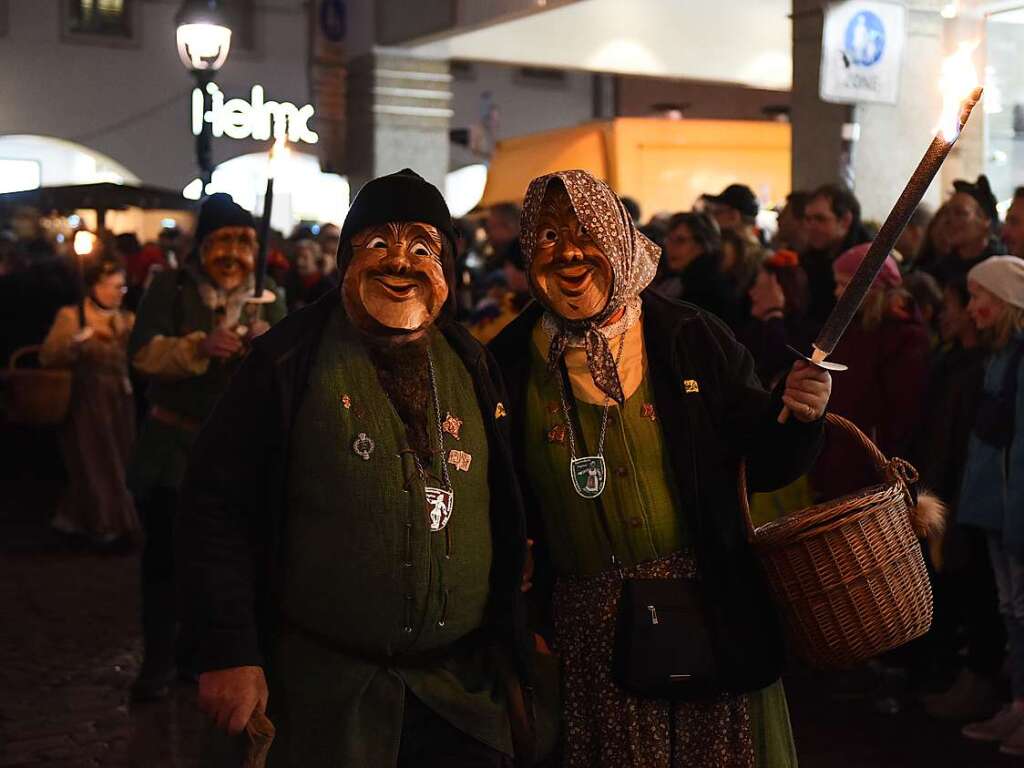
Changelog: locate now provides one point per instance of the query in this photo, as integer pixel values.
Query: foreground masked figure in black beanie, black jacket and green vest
(352, 538)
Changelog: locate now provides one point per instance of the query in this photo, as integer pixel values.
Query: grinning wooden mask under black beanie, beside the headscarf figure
(396, 281)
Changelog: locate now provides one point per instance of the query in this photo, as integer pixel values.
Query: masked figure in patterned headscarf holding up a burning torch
(631, 414)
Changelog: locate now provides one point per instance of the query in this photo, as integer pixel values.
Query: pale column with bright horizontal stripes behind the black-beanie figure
(399, 115)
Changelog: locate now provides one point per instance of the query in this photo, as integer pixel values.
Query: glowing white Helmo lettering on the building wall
(257, 119)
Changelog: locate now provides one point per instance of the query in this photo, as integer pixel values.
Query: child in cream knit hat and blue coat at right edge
(993, 496)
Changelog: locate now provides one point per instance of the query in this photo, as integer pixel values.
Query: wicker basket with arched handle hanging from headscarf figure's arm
(849, 576)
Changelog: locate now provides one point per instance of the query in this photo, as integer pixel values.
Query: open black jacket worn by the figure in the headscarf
(708, 433)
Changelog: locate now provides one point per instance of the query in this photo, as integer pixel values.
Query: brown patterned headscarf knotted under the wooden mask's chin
(634, 262)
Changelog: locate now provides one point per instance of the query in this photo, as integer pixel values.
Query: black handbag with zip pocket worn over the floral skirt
(664, 649)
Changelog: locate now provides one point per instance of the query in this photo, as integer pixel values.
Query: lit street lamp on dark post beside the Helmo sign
(204, 40)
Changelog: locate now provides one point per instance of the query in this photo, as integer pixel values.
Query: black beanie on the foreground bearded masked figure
(399, 197)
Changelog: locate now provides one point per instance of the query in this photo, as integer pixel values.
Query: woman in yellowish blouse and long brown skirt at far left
(97, 441)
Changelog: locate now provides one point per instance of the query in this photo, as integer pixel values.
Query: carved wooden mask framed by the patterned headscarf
(570, 274)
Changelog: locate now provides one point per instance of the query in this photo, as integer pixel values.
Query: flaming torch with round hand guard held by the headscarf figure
(960, 95)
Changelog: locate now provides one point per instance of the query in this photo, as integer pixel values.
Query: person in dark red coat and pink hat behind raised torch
(887, 350)
